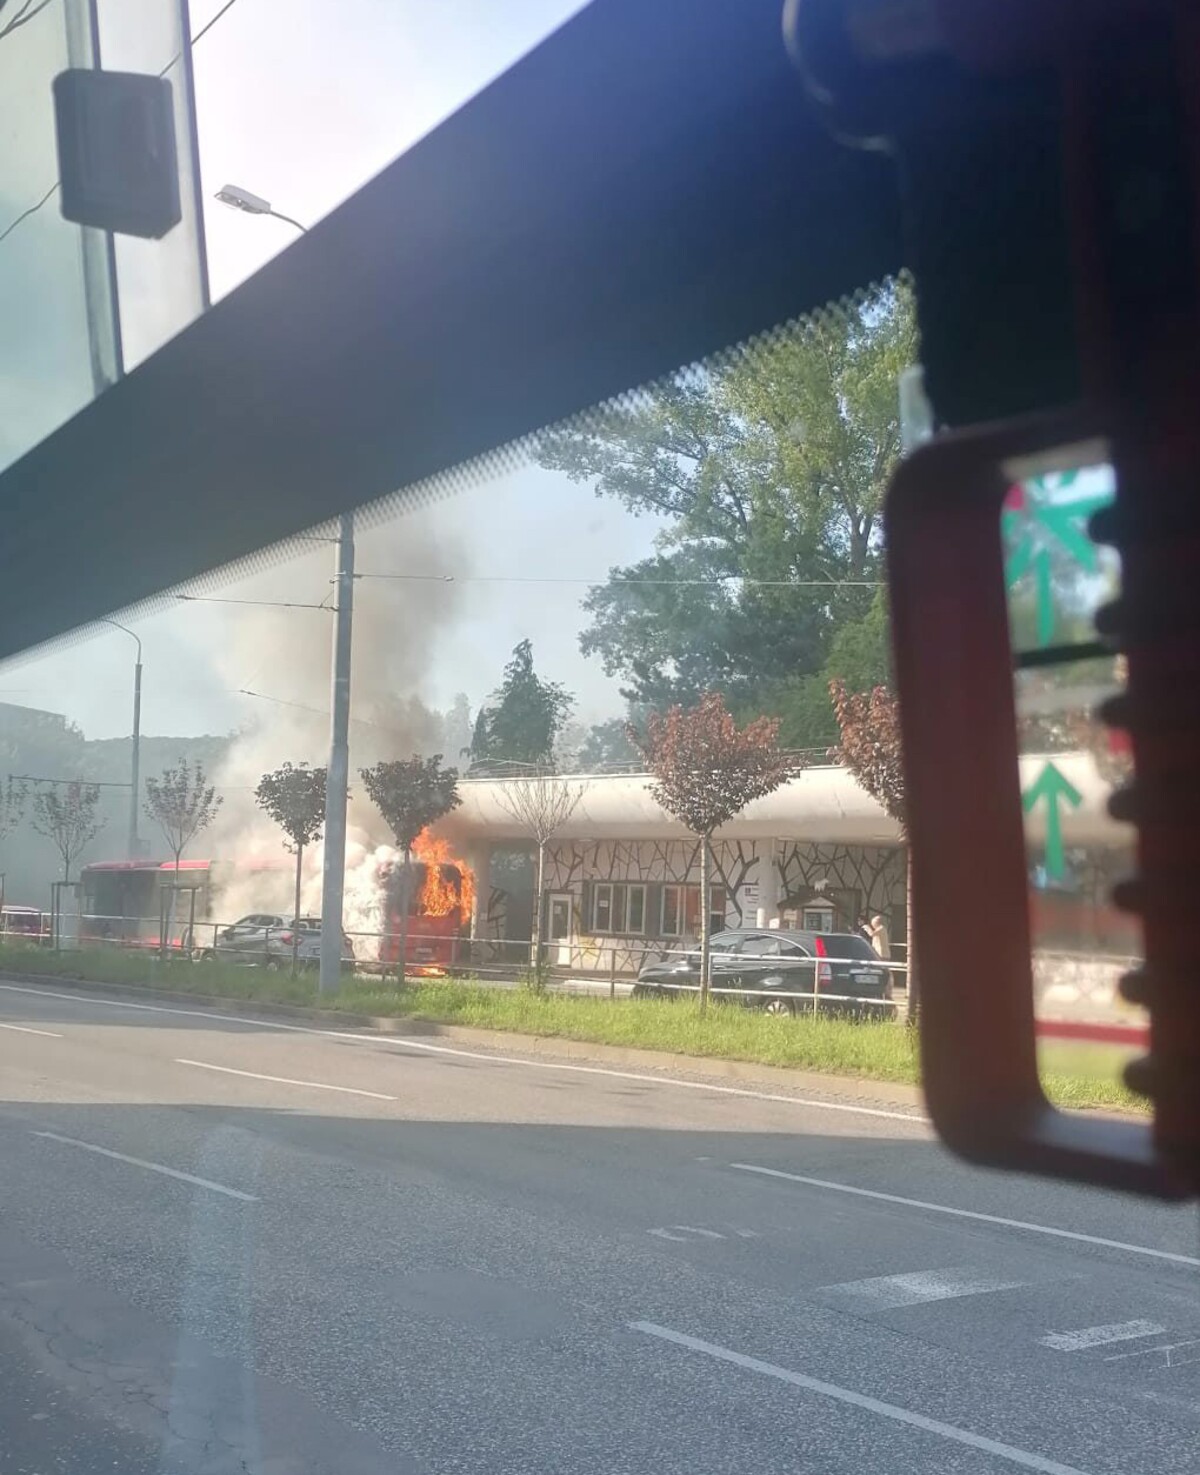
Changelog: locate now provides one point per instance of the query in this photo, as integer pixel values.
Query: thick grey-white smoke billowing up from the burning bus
(285, 656)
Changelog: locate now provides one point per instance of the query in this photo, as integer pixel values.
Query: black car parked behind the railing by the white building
(772, 968)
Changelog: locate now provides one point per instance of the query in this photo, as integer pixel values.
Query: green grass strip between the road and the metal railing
(884, 1051)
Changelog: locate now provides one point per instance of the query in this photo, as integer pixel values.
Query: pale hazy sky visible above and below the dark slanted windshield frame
(303, 103)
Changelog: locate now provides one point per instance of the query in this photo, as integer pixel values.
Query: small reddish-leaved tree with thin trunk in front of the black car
(705, 772)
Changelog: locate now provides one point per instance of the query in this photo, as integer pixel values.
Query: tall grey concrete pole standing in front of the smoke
(334, 874)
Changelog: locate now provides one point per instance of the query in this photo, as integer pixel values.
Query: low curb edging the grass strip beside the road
(862, 1091)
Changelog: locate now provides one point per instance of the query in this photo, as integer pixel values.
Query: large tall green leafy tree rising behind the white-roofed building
(769, 473)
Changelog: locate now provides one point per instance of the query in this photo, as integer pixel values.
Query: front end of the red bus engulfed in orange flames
(442, 898)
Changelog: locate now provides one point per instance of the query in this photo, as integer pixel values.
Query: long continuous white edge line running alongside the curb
(256, 1023)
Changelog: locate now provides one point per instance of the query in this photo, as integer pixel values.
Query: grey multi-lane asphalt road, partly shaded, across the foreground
(234, 1246)
